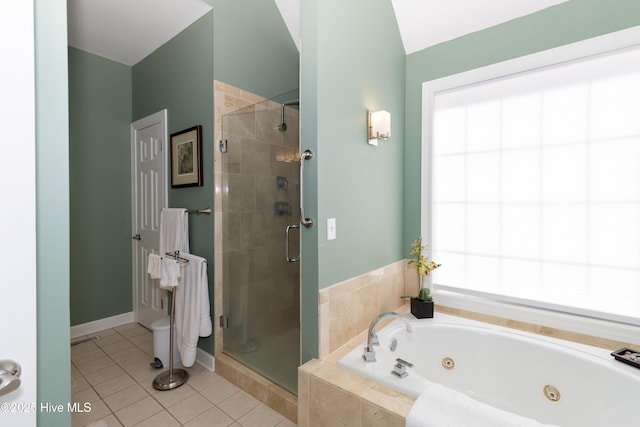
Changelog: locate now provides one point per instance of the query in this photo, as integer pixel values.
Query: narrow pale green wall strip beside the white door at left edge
(52, 209)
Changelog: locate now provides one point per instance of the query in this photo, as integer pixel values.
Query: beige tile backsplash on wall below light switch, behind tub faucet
(347, 308)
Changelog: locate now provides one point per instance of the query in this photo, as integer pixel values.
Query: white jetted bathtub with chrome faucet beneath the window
(546, 379)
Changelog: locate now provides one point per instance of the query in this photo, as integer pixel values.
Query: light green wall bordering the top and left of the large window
(556, 26)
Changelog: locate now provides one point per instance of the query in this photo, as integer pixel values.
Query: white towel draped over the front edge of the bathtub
(439, 406)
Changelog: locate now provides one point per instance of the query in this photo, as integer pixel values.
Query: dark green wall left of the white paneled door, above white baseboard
(100, 173)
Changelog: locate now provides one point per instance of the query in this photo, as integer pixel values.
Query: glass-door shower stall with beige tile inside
(261, 169)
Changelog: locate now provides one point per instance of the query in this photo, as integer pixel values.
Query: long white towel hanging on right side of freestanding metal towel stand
(192, 315)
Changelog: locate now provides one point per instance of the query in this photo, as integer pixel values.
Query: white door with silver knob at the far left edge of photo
(18, 221)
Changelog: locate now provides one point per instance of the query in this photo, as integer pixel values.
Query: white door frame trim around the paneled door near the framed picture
(160, 116)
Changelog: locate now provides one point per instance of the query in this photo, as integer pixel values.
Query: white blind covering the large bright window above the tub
(536, 187)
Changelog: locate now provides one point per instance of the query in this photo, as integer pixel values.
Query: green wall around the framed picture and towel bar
(178, 76)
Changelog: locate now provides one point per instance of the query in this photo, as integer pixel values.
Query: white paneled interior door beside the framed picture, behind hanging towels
(149, 192)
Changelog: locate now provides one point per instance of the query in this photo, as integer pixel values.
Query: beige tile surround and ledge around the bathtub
(329, 395)
